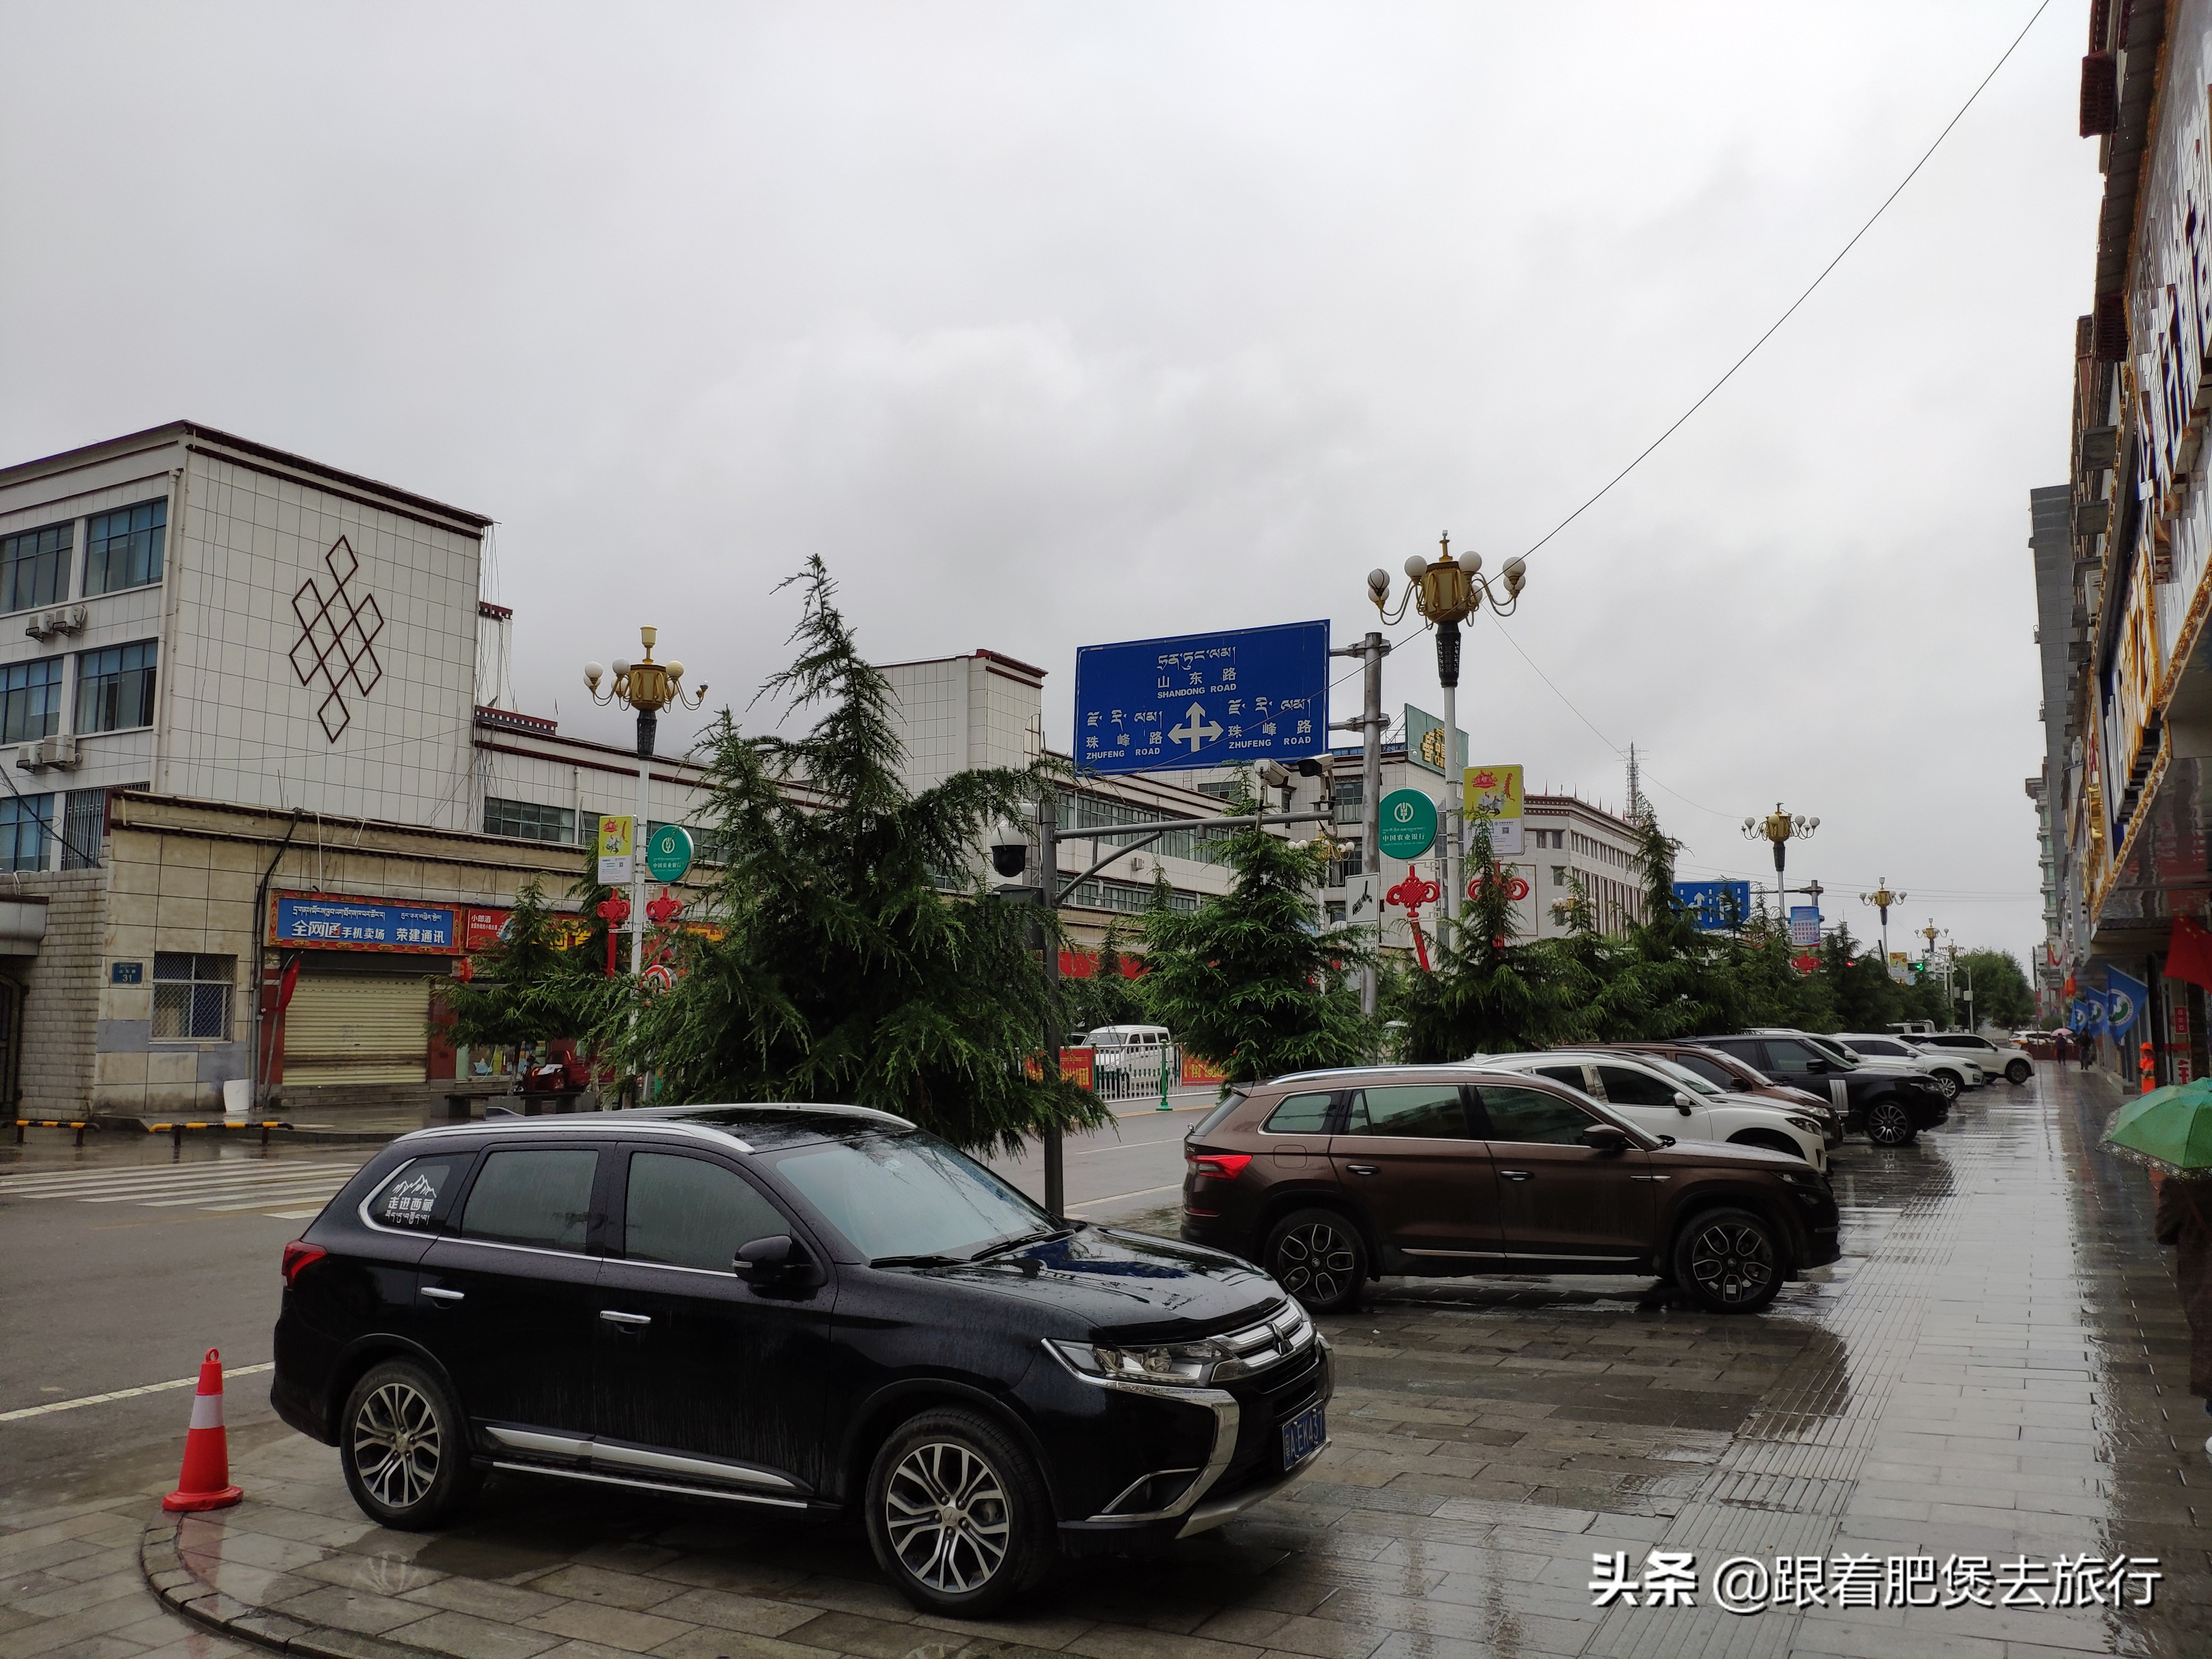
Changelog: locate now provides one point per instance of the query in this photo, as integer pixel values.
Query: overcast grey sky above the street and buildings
(1063, 324)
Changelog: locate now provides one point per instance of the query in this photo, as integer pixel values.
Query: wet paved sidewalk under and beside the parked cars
(1992, 1370)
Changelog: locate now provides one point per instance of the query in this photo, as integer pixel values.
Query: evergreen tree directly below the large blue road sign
(1251, 981)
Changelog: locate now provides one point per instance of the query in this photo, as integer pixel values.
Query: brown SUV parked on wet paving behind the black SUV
(1335, 1178)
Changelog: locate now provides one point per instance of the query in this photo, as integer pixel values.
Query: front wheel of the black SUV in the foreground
(963, 1465)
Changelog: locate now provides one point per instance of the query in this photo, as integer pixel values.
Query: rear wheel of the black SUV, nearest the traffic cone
(404, 1446)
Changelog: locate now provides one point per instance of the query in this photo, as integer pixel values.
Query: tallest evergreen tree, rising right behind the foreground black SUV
(844, 972)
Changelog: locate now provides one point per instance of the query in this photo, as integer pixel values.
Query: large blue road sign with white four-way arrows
(1204, 700)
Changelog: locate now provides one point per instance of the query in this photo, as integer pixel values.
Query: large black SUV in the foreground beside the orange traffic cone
(791, 1308)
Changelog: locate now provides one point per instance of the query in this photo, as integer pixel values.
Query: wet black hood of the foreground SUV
(1127, 1284)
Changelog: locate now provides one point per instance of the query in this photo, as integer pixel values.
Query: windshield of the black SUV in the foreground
(910, 1196)
